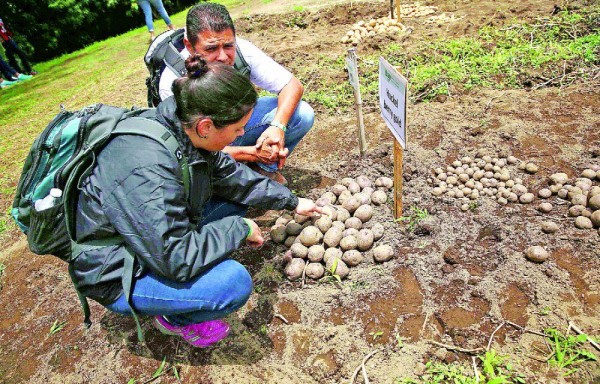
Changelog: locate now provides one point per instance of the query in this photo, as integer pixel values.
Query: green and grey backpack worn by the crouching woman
(63, 155)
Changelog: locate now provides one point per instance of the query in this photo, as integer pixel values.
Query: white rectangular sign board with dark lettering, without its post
(392, 100)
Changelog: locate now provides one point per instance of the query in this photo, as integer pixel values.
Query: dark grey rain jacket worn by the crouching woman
(136, 191)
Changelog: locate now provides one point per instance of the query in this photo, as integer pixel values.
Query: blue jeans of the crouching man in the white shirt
(300, 123)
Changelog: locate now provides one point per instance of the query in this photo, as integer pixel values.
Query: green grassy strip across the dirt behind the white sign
(547, 52)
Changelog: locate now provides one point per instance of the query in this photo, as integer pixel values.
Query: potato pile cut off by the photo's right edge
(583, 193)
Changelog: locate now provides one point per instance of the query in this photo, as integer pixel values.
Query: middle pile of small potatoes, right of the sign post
(469, 179)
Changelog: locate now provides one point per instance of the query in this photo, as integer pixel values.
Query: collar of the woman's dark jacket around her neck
(166, 115)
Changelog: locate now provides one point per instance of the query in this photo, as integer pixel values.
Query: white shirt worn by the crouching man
(265, 72)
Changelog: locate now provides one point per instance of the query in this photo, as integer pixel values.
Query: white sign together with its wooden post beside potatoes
(392, 101)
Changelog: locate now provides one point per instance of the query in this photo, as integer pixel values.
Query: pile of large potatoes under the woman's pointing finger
(337, 239)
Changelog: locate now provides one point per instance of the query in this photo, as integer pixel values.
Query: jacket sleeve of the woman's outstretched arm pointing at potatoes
(237, 182)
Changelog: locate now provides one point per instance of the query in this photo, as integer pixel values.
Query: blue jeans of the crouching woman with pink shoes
(214, 294)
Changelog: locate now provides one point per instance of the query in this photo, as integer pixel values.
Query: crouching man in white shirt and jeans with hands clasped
(278, 123)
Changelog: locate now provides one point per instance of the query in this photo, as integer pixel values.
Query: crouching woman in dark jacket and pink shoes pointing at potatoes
(181, 242)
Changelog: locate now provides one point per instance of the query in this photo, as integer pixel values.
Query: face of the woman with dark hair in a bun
(216, 138)
